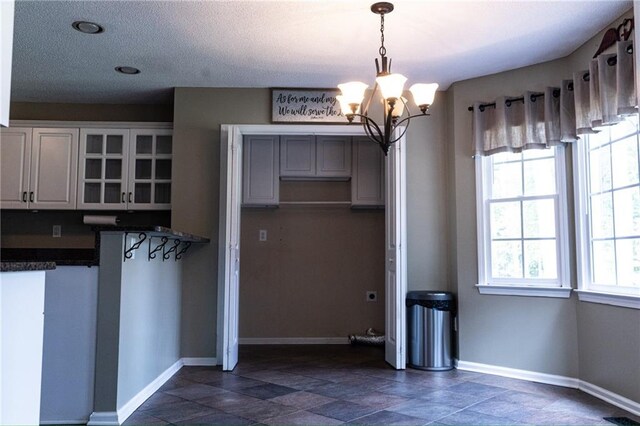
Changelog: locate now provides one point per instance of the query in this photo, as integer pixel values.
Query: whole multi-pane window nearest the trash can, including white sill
(522, 228)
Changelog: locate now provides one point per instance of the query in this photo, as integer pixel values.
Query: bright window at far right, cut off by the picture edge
(607, 185)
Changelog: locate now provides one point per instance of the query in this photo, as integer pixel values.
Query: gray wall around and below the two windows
(596, 343)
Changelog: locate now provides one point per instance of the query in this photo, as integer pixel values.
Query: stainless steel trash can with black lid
(429, 322)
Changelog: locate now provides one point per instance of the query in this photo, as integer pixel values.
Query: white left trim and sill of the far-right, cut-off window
(583, 268)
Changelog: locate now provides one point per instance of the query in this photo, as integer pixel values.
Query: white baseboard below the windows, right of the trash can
(551, 379)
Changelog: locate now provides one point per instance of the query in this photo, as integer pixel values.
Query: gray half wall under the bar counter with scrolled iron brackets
(138, 325)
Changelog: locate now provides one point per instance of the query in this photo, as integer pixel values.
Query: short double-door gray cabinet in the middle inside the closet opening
(310, 157)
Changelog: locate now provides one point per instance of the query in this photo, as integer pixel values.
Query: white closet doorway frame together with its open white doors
(230, 237)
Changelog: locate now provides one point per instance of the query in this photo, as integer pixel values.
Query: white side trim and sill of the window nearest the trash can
(519, 287)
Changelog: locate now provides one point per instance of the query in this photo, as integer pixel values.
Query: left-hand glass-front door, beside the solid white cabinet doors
(103, 169)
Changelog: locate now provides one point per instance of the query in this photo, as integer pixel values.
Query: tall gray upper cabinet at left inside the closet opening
(260, 182)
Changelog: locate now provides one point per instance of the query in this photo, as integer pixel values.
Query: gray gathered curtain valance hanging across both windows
(599, 96)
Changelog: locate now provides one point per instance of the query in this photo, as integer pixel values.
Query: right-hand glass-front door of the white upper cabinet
(150, 169)
